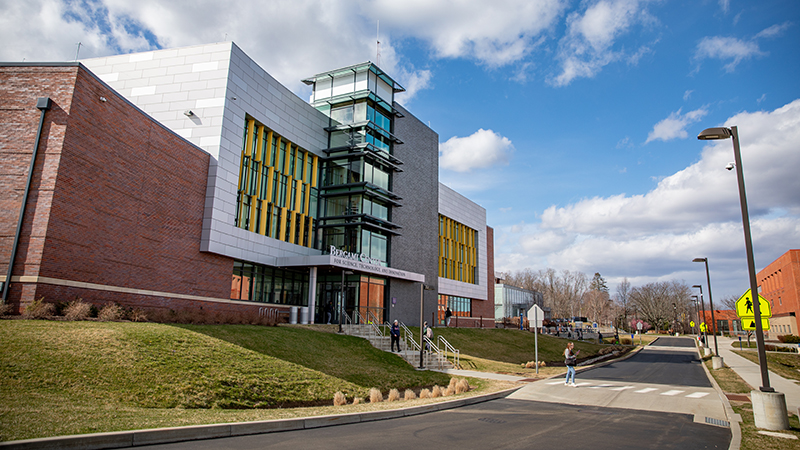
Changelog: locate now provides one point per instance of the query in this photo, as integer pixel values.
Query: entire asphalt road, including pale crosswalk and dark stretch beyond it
(573, 418)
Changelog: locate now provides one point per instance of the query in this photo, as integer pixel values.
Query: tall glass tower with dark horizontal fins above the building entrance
(355, 190)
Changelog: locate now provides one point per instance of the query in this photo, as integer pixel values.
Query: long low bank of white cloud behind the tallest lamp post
(692, 213)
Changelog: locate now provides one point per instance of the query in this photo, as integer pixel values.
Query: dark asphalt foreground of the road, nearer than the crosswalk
(500, 424)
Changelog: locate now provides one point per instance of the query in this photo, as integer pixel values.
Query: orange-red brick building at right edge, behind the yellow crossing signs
(779, 284)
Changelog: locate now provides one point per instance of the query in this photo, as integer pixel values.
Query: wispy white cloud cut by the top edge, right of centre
(589, 43)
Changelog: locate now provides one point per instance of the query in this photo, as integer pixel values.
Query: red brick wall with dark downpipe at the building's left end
(117, 200)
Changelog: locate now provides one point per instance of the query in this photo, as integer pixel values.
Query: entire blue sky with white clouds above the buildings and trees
(573, 123)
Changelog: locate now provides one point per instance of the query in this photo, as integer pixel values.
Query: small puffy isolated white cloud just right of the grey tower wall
(482, 149)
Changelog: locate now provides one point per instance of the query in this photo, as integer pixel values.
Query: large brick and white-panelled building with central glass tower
(191, 179)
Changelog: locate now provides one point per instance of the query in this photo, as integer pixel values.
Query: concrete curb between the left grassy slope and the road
(125, 439)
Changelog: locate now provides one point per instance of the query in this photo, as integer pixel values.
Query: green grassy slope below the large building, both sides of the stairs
(64, 377)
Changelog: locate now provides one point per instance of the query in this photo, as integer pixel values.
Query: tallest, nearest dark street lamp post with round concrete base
(778, 420)
